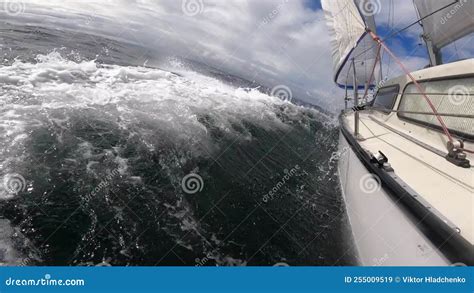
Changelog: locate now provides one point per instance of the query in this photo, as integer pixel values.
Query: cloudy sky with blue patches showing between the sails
(278, 42)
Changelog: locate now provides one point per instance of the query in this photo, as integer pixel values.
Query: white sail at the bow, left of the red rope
(349, 40)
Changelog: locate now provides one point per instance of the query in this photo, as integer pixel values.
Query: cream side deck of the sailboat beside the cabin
(447, 188)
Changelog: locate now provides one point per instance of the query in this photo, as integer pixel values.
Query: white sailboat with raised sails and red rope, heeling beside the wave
(406, 156)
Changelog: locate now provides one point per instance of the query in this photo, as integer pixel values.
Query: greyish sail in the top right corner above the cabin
(449, 24)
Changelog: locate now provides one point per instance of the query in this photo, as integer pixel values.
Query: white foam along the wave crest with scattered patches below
(151, 98)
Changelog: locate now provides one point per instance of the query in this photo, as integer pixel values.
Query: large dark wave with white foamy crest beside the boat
(103, 150)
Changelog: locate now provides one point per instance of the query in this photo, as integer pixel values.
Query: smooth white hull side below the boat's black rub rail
(384, 234)
